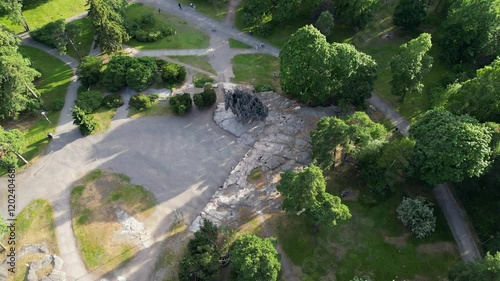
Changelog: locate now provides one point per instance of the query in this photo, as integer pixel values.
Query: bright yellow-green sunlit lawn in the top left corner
(45, 12)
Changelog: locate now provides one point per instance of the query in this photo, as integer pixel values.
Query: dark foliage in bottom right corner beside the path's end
(487, 269)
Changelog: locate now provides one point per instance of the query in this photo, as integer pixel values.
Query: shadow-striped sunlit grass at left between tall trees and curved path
(53, 84)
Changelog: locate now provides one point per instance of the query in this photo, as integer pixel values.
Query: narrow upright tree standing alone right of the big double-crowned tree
(410, 65)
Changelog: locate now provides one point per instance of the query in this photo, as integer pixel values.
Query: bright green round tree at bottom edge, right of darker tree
(255, 259)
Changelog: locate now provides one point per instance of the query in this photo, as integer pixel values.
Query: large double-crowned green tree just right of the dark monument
(318, 73)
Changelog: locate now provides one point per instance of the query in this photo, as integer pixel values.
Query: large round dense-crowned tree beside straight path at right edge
(449, 147)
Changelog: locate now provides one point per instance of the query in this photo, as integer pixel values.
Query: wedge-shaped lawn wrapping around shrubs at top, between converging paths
(187, 35)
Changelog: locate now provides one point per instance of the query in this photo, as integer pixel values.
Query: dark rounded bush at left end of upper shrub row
(114, 77)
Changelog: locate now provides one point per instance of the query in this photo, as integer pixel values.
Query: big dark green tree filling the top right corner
(471, 30)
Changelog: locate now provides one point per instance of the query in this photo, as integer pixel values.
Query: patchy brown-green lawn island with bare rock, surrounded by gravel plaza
(95, 200)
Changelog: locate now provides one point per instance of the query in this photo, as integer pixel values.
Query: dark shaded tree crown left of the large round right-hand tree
(383, 164)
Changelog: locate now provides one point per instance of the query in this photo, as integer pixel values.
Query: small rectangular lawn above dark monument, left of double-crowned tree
(255, 69)
